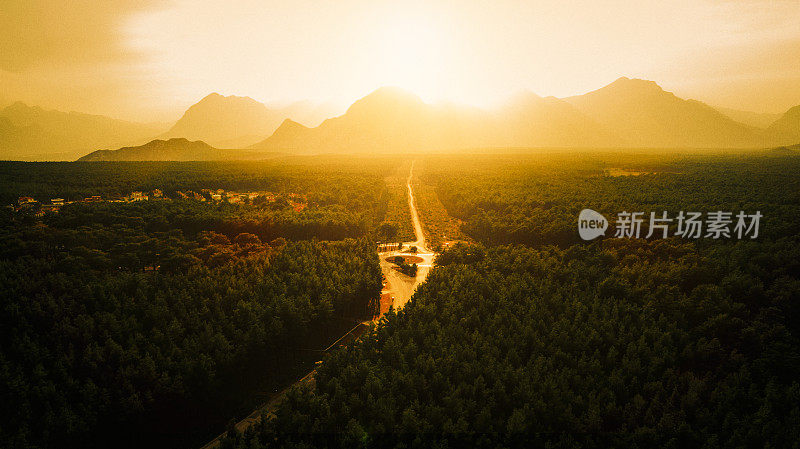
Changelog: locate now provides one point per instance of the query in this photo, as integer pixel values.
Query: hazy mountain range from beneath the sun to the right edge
(626, 113)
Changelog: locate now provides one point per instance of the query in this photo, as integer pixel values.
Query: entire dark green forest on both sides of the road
(151, 324)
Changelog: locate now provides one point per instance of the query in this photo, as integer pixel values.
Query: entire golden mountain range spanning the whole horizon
(626, 113)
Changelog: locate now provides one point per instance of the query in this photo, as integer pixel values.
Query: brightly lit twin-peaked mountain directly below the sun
(391, 119)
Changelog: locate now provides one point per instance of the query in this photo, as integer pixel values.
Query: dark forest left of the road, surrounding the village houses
(152, 323)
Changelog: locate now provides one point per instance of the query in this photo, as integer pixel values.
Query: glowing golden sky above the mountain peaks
(148, 60)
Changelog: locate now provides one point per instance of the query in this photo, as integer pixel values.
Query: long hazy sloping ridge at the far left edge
(30, 132)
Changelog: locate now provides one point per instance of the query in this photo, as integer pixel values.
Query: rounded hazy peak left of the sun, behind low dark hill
(236, 122)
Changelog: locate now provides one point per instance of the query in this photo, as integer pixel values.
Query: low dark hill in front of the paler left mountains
(176, 149)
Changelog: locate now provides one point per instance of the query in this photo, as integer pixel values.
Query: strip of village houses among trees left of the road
(297, 201)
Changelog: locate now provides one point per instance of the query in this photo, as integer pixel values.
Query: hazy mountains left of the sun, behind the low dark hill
(33, 133)
